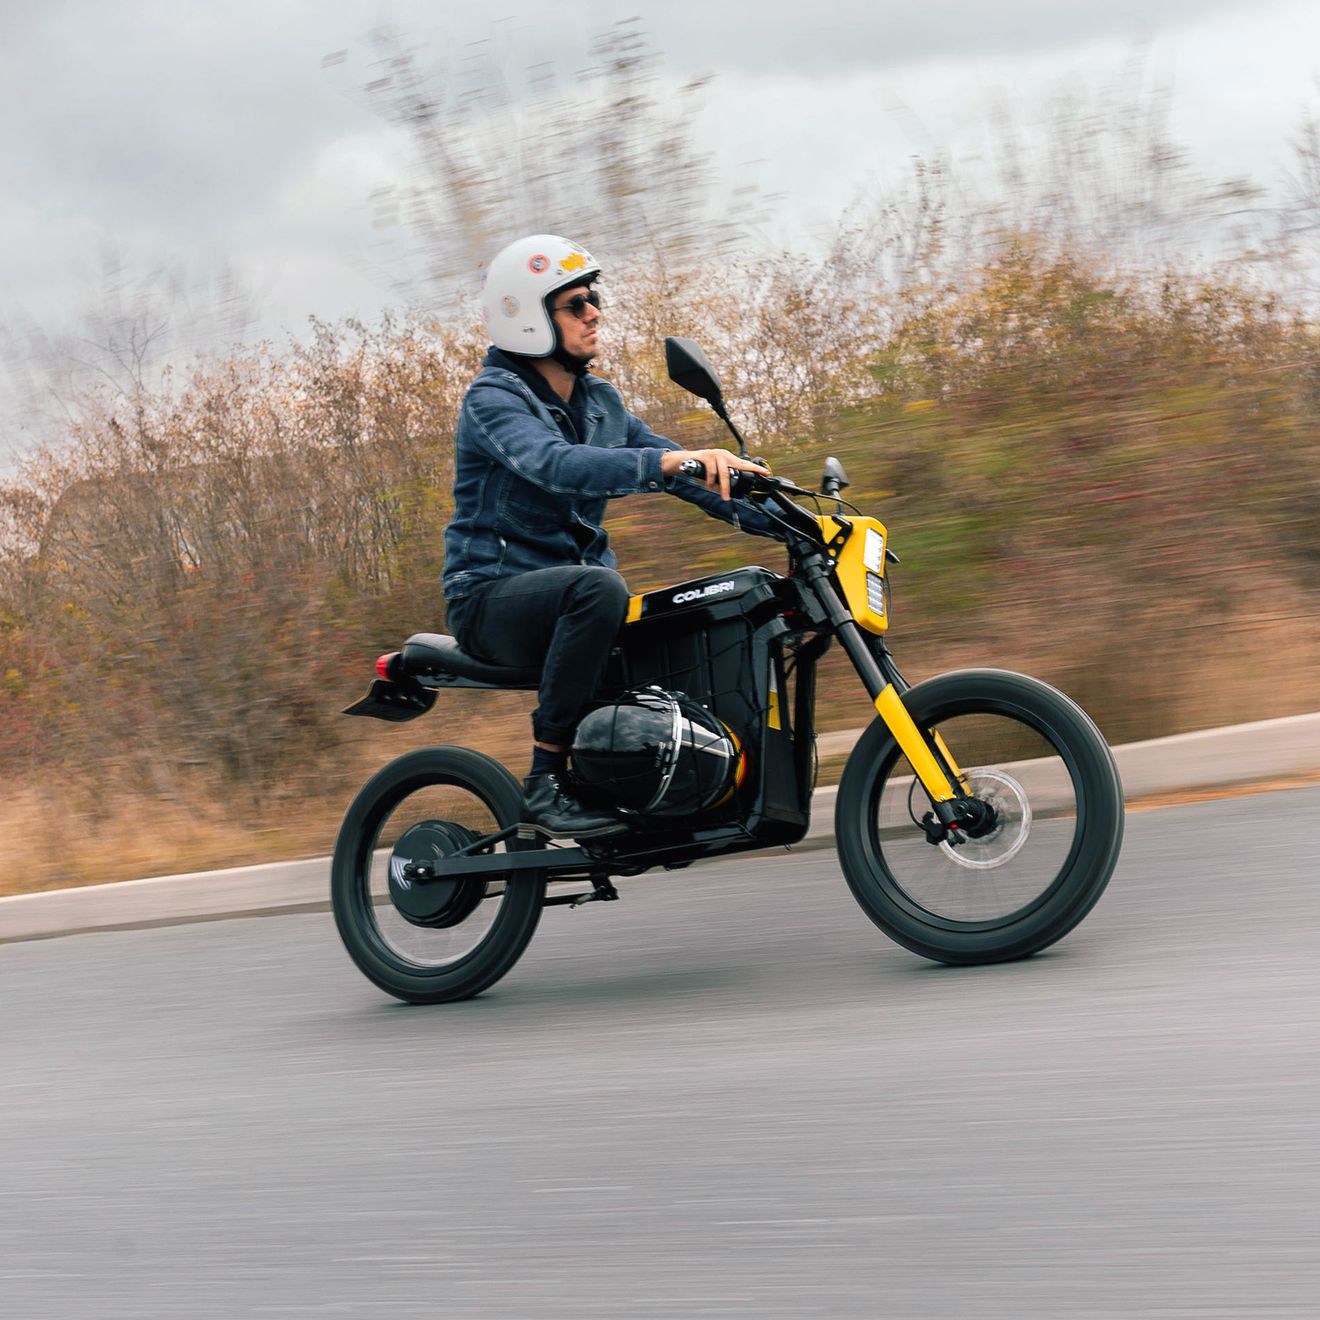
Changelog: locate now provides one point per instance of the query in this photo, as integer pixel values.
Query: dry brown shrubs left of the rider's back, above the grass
(188, 577)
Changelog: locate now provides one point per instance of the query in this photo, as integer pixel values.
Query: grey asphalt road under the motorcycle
(727, 1095)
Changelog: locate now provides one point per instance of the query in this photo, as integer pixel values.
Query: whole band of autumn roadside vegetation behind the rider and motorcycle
(1098, 463)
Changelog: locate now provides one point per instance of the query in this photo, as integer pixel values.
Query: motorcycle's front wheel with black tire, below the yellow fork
(1024, 744)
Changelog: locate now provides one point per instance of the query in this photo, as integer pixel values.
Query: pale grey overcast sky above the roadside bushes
(203, 135)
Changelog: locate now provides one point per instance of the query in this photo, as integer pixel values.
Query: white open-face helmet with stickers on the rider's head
(518, 283)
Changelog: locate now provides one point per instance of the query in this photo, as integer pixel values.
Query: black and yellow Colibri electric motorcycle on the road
(977, 820)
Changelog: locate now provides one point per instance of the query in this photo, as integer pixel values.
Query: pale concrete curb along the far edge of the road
(1211, 760)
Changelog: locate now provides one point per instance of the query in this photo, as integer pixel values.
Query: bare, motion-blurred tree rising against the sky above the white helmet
(608, 155)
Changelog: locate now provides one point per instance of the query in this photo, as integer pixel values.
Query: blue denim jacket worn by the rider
(529, 498)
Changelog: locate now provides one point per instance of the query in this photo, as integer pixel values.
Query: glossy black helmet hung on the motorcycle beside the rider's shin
(658, 753)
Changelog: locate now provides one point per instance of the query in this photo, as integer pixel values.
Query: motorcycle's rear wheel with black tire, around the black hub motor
(472, 946)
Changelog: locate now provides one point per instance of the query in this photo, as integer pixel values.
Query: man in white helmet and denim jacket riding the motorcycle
(541, 447)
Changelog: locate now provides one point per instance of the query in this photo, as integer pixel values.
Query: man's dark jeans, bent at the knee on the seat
(564, 620)
